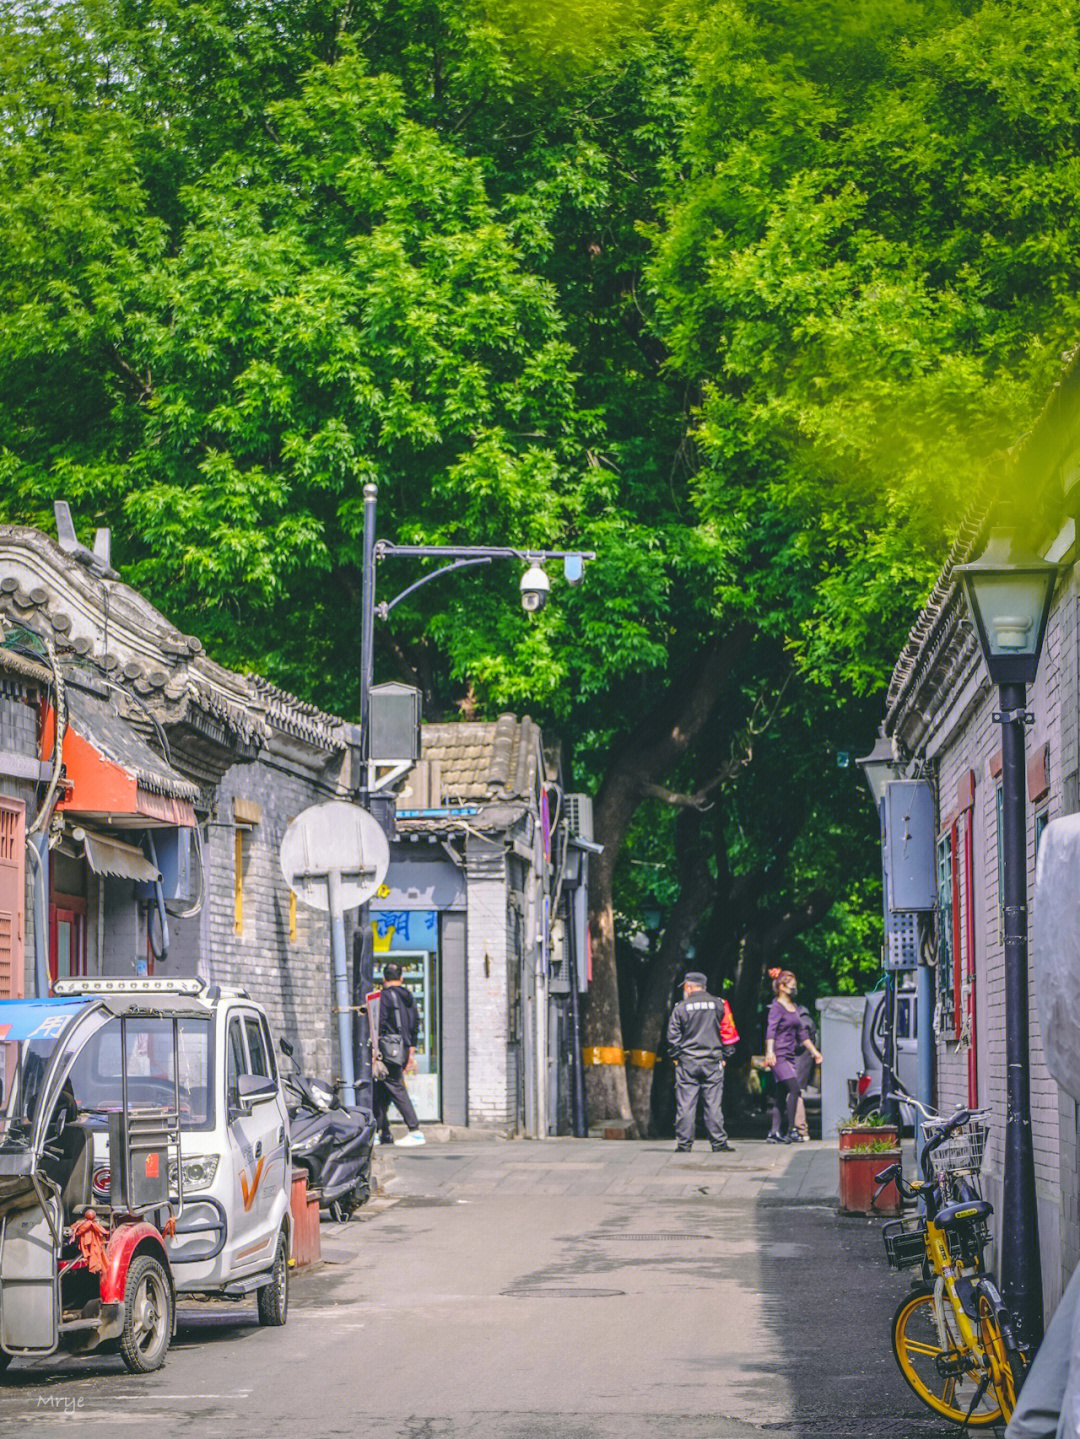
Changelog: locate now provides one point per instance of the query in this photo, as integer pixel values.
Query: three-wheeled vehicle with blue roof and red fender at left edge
(80, 1270)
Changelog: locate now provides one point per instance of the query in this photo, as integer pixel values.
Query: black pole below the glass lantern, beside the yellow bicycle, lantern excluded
(1022, 1274)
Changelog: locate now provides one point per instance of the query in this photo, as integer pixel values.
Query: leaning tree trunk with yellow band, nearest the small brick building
(644, 759)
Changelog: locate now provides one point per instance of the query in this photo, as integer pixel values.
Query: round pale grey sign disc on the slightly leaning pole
(340, 841)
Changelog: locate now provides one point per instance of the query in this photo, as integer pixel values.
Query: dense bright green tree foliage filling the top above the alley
(740, 294)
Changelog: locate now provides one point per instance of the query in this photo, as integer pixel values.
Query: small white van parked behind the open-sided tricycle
(234, 1227)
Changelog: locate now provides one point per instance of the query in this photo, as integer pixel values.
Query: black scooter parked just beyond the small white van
(330, 1140)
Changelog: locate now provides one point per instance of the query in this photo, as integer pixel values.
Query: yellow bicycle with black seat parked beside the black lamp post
(954, 1338)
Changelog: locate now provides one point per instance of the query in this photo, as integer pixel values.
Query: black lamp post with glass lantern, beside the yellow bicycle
(1010, 592)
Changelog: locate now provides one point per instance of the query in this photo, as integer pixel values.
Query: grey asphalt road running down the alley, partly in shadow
(543, 1292)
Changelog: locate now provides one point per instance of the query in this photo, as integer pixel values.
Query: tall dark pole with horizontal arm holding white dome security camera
(534, 596)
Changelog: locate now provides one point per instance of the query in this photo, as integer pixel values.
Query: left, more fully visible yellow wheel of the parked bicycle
(947, 1379)
